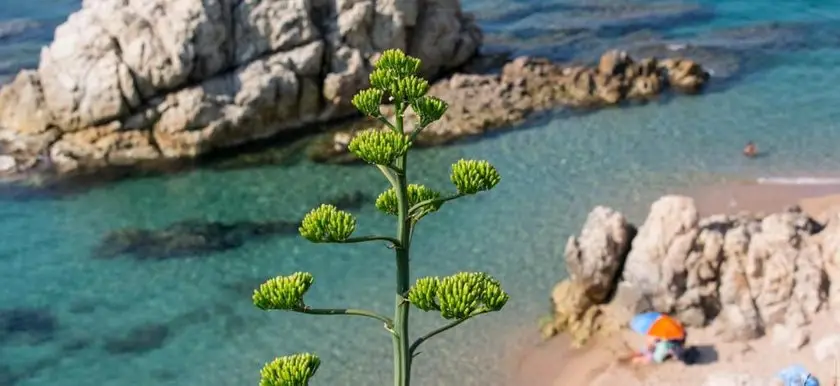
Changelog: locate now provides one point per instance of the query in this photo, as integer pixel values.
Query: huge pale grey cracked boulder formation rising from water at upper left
(132, 80)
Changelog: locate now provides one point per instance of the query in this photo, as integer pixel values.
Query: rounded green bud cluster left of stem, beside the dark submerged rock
(326, 224)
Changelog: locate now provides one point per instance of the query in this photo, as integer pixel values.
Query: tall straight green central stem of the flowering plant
(402, 358)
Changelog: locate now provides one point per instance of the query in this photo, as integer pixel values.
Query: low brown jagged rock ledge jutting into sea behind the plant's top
(480, 103)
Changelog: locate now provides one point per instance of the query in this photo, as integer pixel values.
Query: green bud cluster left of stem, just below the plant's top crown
(379, 147)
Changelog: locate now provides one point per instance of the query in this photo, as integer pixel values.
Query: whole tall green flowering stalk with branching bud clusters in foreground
(457, 297)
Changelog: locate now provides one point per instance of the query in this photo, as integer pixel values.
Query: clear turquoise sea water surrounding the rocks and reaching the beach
(194, 314)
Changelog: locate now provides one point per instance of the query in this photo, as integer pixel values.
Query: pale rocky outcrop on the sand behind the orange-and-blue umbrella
(743, 275)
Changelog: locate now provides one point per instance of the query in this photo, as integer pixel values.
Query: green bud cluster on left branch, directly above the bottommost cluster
(283, 292)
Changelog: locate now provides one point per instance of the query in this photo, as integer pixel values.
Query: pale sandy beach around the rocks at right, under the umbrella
(554, 363)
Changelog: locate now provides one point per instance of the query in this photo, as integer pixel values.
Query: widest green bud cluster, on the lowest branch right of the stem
(458, 296)
